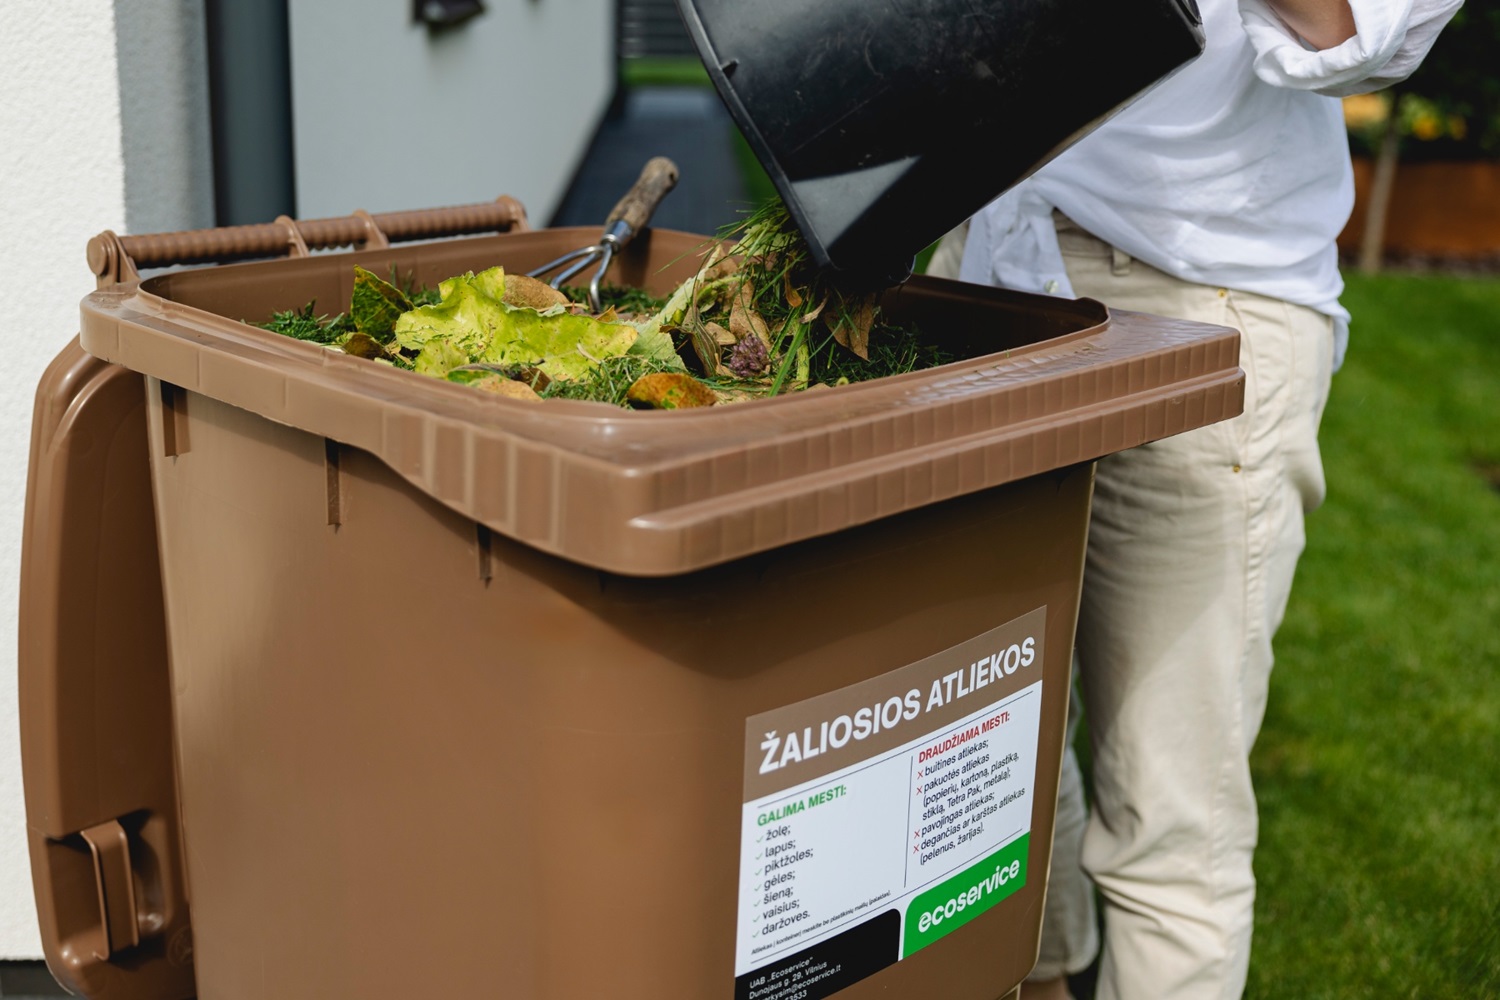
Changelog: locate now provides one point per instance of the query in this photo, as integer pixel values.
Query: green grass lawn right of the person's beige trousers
(1379, 764)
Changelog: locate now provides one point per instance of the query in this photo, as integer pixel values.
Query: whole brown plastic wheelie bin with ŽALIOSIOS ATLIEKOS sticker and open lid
(346, 683)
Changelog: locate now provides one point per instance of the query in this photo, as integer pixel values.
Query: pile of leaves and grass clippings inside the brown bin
(757, 320)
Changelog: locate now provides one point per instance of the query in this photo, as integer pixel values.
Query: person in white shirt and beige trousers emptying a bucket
(1217, 197)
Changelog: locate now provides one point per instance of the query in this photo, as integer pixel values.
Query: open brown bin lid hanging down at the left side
(95, 696)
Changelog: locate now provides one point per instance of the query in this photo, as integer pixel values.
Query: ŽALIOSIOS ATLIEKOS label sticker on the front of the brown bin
(886, 815)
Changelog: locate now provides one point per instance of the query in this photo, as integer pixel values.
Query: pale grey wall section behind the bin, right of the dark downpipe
(391, 116)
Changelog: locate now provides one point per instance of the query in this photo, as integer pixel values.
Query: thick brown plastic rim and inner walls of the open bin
(658, 494)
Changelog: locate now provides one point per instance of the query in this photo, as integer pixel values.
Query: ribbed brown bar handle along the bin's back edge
(115, 259)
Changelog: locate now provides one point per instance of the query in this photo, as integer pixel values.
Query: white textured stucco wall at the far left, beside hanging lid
(68, 170)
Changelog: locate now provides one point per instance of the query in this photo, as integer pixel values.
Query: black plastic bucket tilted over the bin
(886, 124)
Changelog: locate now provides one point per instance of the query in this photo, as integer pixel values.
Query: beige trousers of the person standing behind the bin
(1193, 545)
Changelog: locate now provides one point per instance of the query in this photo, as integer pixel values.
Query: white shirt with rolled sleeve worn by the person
(1232, 173)
